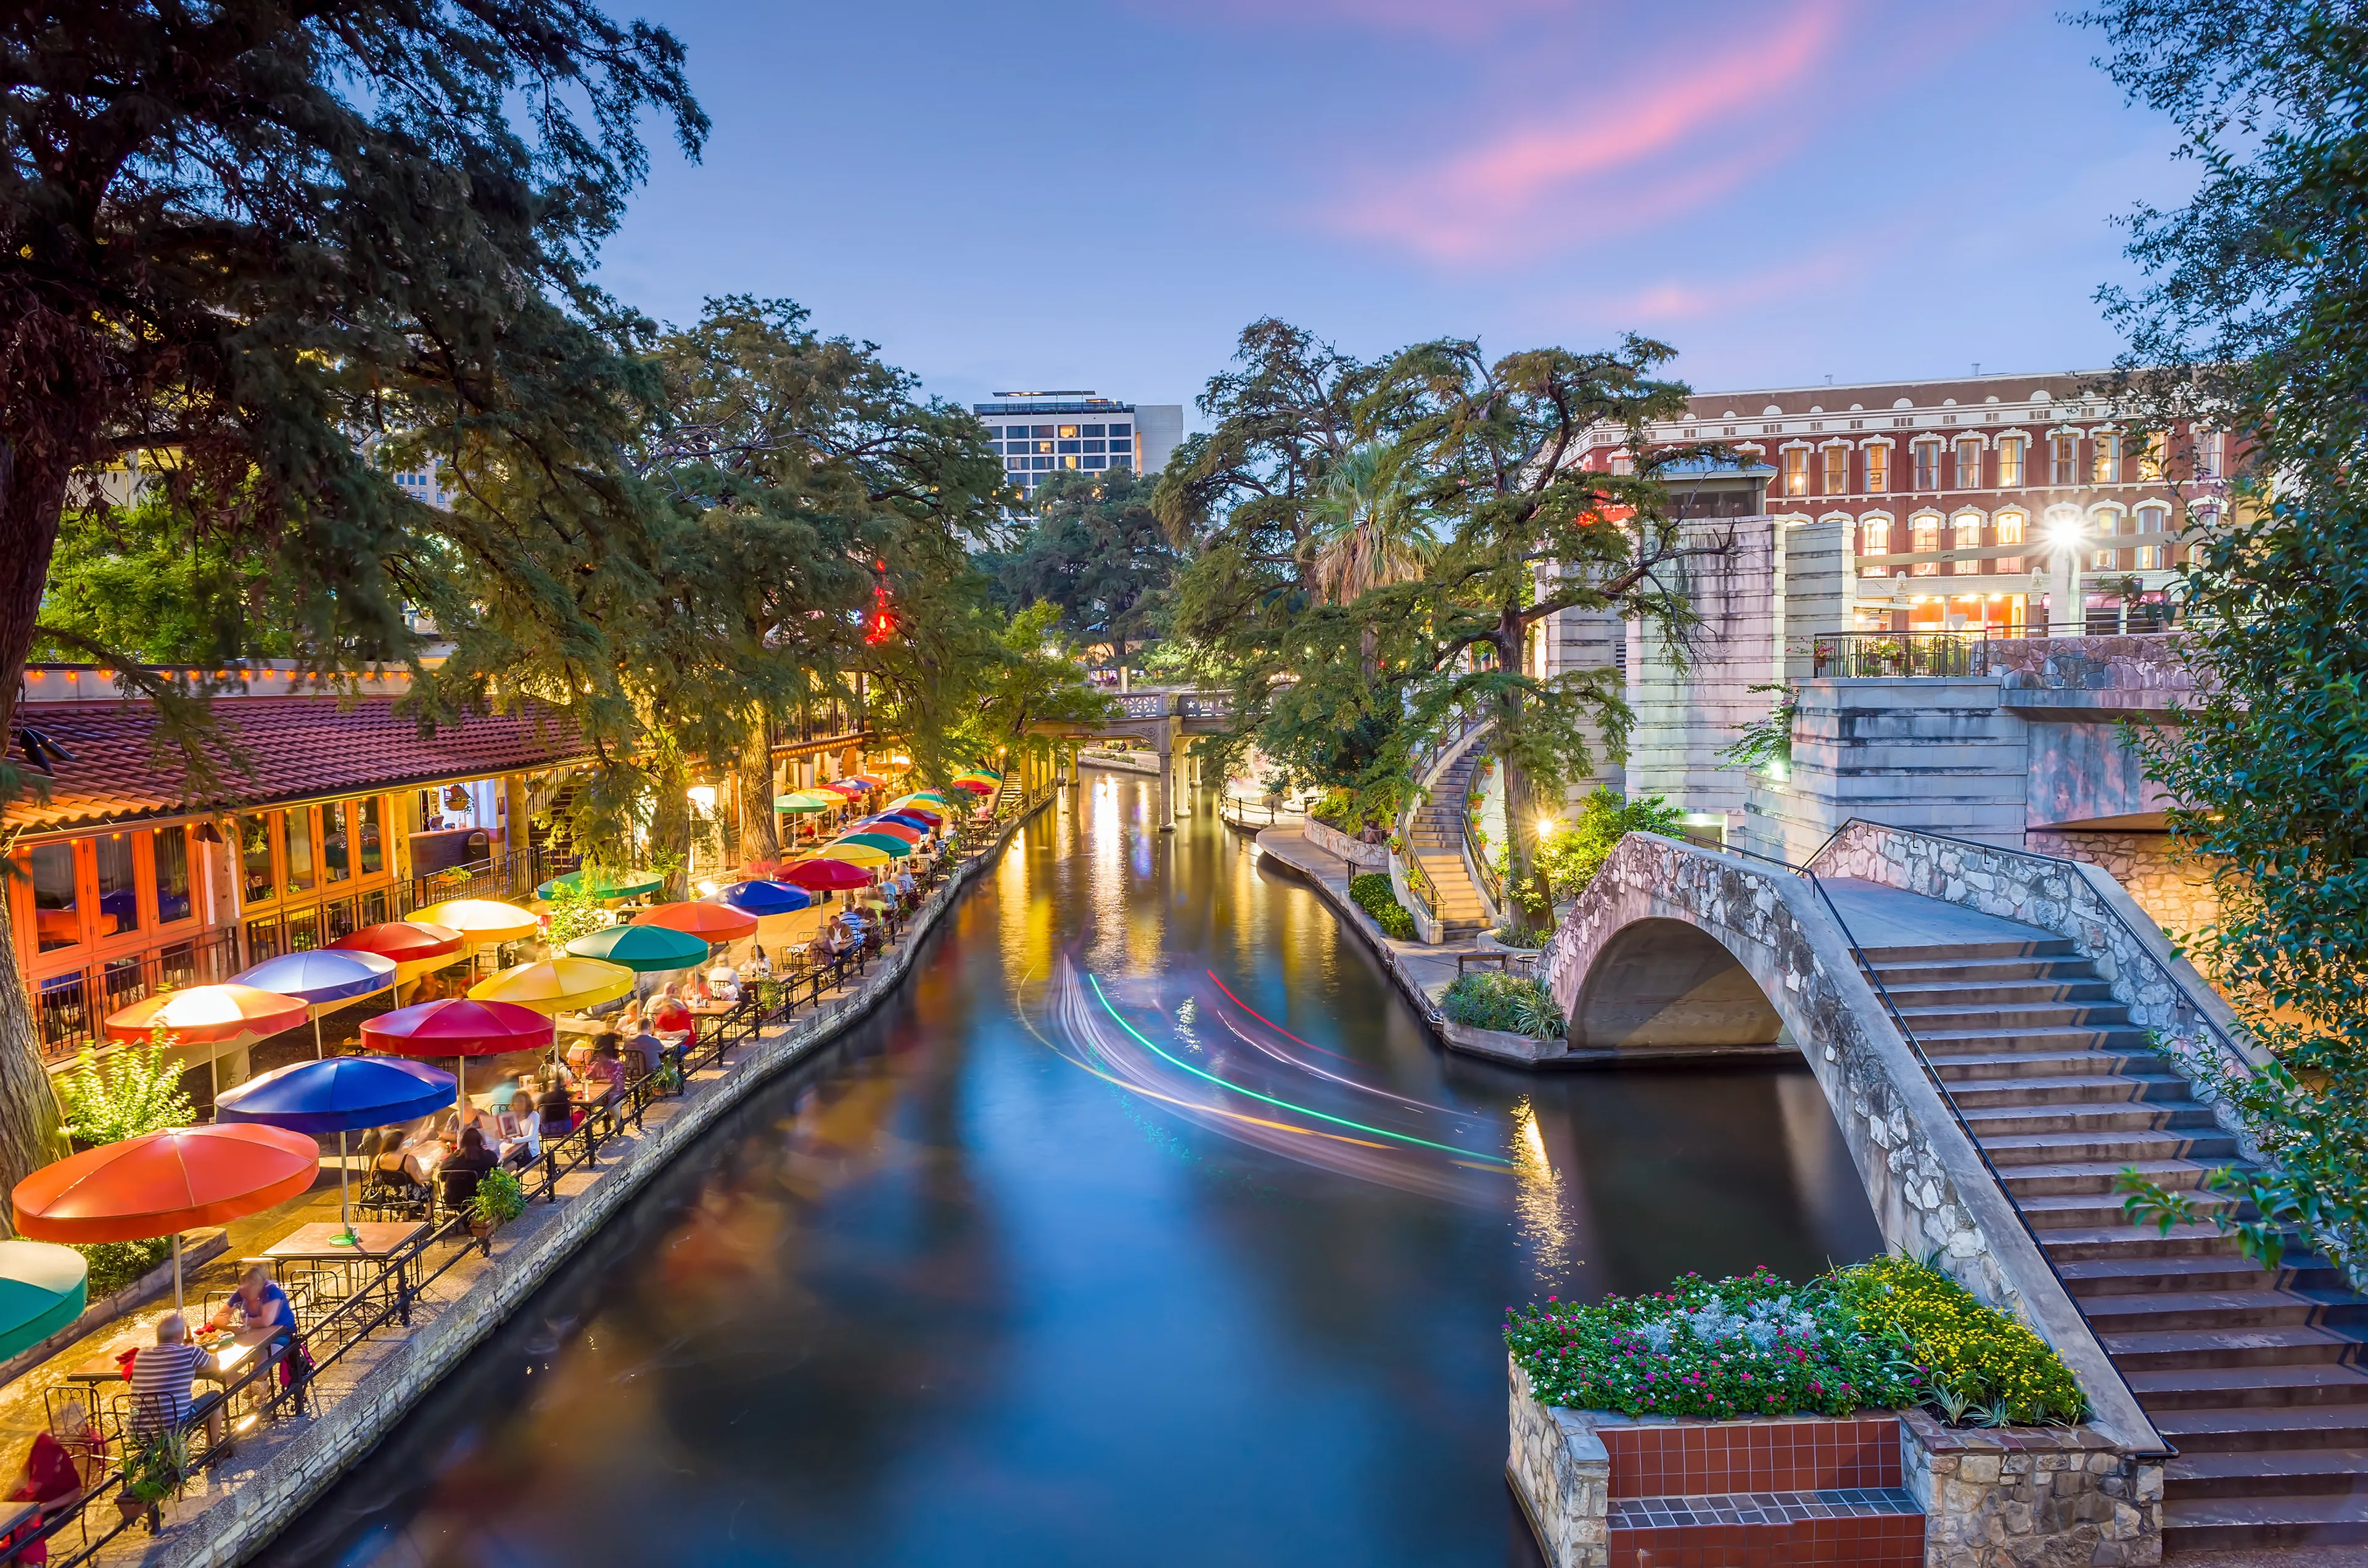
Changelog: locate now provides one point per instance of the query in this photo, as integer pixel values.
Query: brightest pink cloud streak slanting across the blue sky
(1609, 165)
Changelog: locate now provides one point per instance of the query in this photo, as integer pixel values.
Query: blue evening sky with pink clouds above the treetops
(1031, 195)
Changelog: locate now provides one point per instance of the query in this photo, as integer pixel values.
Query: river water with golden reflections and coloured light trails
(1145, 1226)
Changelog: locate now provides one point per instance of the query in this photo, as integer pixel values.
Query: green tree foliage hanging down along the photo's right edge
(2253, 319)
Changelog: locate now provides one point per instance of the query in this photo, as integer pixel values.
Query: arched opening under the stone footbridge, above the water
(1671, 984)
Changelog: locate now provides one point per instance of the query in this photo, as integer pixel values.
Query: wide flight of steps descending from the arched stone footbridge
(2256, 1377)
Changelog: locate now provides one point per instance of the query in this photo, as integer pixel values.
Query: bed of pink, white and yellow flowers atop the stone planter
(1884, 1335)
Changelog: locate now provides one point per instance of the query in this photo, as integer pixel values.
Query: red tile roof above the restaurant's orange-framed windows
(300, 750)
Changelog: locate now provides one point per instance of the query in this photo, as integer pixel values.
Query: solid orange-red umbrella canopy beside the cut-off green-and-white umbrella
(165, 1183)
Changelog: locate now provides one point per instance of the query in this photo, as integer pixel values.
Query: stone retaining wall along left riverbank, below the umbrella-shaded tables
(243, 1522)
